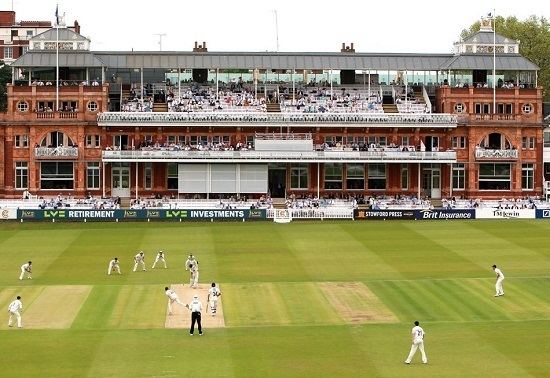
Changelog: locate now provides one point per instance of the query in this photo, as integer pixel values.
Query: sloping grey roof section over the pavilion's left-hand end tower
(41, 58)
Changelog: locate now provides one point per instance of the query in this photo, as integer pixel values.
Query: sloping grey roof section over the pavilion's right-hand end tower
(506, 62)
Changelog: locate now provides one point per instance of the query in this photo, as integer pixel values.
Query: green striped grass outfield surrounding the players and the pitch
(306, 299)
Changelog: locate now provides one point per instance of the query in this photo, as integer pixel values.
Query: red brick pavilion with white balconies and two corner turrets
(249, 123)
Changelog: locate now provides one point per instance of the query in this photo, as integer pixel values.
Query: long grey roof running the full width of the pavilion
(274, 60)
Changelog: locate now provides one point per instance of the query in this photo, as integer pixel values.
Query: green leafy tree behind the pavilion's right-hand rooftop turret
(534, 37)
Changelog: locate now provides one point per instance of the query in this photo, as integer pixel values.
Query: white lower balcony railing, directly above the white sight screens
(281, 156)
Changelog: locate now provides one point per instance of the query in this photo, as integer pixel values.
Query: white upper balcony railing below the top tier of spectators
(255, 119)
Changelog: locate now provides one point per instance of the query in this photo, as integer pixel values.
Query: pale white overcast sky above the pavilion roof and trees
(430, 26)
